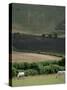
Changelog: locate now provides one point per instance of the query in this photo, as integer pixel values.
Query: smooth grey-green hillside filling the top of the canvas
(36, 19)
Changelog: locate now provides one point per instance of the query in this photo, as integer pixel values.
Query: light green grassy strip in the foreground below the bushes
(38, 80)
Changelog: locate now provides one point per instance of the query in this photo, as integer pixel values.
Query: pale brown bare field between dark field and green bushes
(32, 57)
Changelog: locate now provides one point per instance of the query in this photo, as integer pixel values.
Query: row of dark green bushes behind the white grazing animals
(44, 67)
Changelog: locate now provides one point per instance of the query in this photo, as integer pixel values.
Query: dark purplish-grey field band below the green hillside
(23, 42)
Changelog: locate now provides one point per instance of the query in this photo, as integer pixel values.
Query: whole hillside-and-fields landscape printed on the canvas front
(37, 45)
